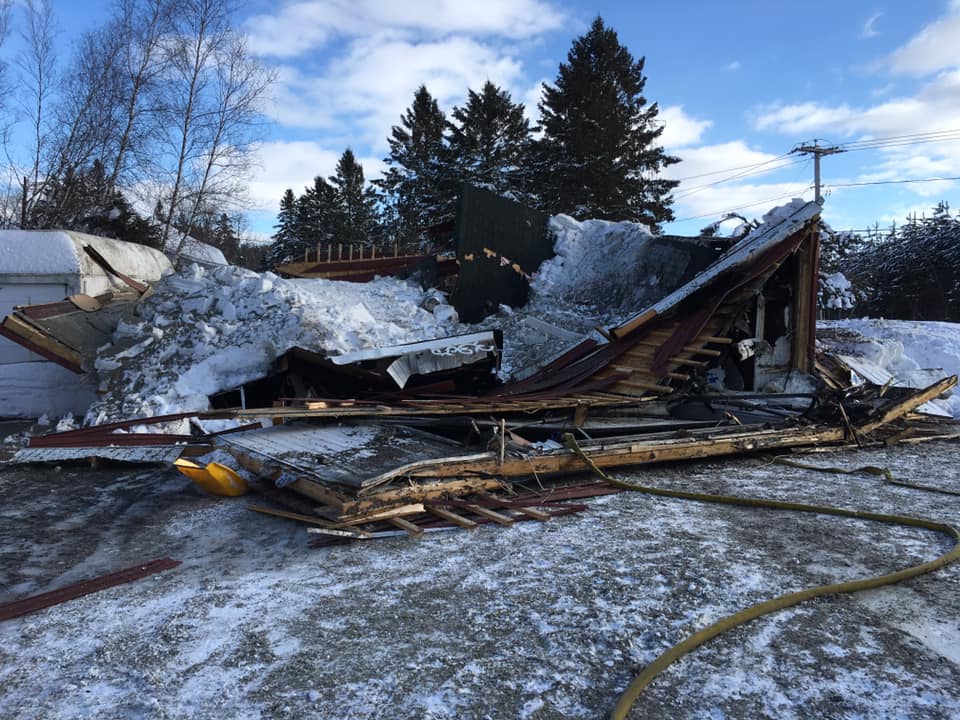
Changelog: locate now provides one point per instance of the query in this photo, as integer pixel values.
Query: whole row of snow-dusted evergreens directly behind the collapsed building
(596, 156)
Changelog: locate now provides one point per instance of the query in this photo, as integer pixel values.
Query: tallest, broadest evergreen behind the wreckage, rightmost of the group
(599, 156)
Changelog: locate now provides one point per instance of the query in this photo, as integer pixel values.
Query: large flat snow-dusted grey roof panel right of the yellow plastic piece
(352, 455)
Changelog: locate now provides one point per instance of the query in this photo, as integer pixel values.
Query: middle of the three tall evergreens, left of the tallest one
(489, 145)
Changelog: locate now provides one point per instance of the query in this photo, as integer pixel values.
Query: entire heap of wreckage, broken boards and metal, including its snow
(365, 409)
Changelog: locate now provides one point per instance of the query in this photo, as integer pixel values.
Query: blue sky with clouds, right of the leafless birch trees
(739, 83)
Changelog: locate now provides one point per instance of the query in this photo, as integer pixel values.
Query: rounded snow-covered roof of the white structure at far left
(60, 252)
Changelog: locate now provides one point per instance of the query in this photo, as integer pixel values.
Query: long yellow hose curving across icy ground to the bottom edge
(641, 681)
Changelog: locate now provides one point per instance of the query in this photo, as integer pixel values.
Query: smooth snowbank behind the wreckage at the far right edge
(899, 346)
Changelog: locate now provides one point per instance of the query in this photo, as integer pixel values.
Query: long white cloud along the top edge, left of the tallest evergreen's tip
(301, 26)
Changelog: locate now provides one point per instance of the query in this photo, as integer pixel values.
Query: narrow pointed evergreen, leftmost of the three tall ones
(417, 180)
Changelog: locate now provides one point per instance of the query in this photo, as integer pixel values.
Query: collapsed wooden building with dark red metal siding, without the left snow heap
(715, 356)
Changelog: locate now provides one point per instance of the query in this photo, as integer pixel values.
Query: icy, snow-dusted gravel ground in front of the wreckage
(542, 620)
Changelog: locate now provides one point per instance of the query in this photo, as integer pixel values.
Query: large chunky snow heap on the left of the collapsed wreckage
(206, 331)
